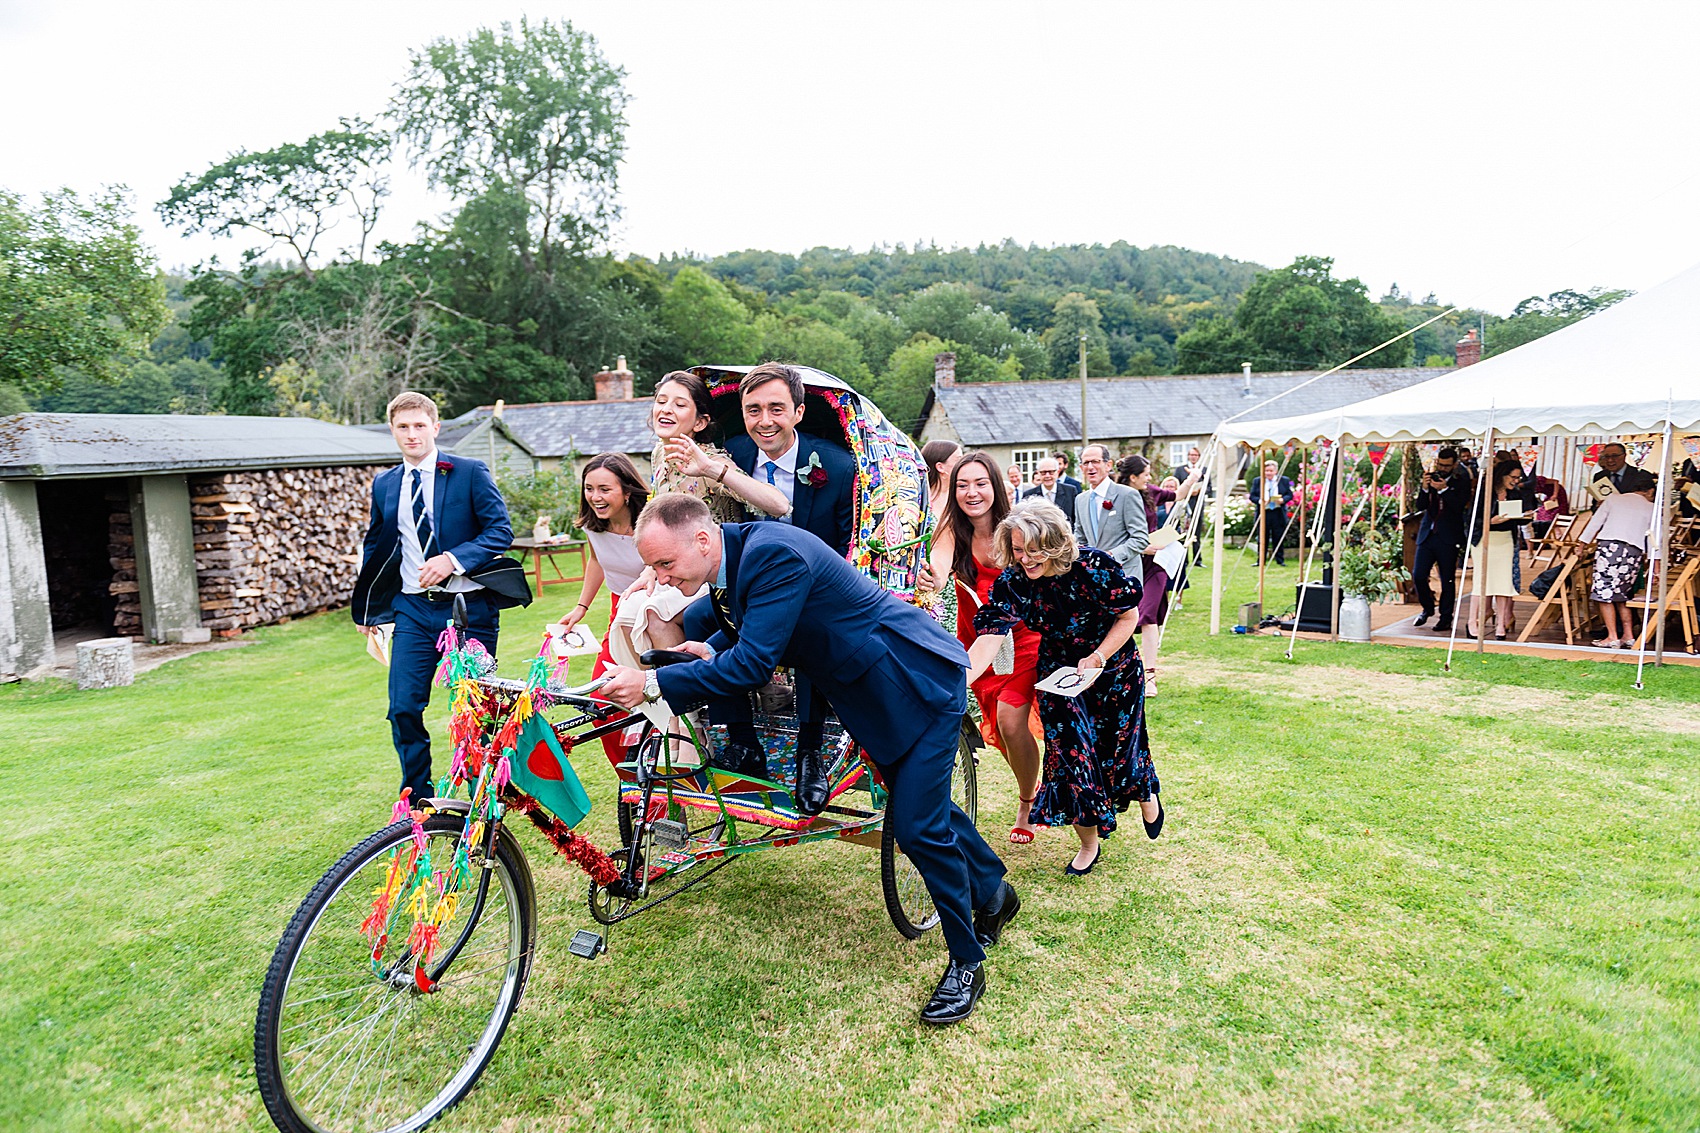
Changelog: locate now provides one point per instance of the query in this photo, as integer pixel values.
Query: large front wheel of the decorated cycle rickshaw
(341, 1047)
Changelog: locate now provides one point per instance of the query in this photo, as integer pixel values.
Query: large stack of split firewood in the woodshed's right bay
(273, 545)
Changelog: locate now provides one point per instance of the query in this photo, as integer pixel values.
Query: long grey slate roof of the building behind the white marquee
(1182, 406)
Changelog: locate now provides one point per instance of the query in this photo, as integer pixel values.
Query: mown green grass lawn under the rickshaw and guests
(1386, 899)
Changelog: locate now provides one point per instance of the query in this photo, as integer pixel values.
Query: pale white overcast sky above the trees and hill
(1483, 152)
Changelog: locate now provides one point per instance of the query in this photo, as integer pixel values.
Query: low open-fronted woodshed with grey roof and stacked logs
(173, 528)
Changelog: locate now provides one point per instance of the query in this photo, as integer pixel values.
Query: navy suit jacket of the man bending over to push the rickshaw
(888, 669)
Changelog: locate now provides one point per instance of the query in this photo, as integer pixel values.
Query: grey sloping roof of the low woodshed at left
(127, 445)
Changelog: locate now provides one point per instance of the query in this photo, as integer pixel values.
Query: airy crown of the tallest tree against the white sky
(536, 118)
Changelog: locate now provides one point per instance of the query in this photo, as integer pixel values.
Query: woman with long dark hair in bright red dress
(977, 504)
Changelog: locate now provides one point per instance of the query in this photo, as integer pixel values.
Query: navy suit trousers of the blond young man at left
(412, 666)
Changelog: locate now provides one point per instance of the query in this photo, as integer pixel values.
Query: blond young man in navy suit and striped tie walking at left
(439, 530)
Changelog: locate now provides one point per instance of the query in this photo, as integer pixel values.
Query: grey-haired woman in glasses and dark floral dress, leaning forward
(1085, 612)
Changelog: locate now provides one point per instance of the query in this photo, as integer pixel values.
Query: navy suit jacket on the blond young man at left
(470, 521)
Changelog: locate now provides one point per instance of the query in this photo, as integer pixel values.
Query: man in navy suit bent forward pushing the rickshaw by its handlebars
(893, 676)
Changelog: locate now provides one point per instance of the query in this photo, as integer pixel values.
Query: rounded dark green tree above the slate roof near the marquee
(1298, 319)
